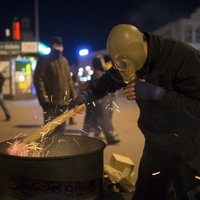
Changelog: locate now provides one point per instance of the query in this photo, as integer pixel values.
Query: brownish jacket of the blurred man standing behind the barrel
(53, 81)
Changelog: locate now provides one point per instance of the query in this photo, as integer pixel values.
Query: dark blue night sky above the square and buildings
(87, 23)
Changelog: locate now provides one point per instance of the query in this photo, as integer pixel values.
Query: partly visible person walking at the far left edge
(2, 103)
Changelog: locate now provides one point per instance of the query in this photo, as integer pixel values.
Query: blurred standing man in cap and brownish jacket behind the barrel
(53, 82)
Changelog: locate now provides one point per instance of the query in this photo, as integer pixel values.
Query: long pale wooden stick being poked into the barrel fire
(51, 125)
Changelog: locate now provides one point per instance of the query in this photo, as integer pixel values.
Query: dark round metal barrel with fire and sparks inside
(71, 168)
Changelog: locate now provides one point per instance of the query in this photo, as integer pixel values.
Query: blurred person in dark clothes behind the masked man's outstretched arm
(98, 115)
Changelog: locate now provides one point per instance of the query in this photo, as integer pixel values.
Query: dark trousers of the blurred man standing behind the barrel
(52, 111)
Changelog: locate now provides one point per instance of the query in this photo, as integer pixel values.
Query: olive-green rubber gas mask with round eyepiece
(126, 47)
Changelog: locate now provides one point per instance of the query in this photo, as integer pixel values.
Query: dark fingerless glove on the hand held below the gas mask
(147, 91)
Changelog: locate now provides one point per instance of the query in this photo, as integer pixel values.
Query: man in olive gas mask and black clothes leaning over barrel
(163, 76)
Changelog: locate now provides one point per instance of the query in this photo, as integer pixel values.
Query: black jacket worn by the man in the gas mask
(174, 66)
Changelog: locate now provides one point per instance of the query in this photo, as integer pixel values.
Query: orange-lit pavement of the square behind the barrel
(27, 117)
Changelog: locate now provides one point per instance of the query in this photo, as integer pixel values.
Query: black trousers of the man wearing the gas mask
(159, 169)
